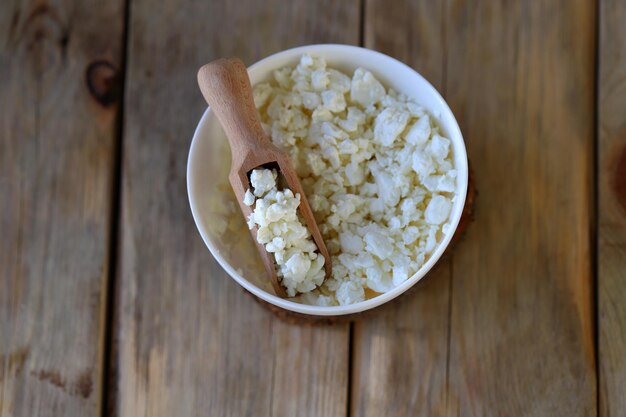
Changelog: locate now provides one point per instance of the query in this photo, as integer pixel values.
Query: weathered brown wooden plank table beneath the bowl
(111, 305)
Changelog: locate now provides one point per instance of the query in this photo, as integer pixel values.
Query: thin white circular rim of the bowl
(452, 129)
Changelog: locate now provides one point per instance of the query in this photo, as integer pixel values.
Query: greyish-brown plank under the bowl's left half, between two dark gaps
(191, 342)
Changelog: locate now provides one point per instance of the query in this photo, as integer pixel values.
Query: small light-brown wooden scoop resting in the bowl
(226, 87)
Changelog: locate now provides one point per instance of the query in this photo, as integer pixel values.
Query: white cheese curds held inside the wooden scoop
(300, 267)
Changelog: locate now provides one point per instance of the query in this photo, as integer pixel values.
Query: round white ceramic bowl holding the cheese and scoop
(209, 161)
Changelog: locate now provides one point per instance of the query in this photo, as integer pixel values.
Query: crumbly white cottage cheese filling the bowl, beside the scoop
(377, 171)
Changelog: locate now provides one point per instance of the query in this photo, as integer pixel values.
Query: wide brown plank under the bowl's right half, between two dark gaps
(512, 332)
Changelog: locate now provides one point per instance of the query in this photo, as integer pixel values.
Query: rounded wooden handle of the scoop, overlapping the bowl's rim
(226, 87)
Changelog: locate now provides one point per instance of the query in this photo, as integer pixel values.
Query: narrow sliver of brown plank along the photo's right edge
(612, 208)
